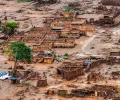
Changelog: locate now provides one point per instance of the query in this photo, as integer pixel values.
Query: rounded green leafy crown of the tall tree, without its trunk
(19, 51)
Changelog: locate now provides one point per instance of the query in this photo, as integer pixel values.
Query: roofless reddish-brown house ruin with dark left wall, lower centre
(70, 70)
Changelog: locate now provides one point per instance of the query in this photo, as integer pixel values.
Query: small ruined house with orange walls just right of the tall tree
(44, 57)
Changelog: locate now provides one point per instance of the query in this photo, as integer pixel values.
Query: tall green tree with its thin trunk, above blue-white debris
(20, 52)
